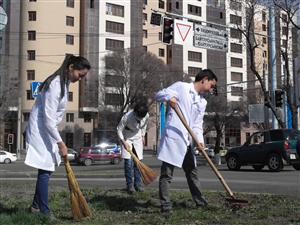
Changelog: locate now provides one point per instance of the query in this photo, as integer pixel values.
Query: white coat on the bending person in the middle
(132, 131)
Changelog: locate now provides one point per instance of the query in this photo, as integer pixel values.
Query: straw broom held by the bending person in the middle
(148, 175)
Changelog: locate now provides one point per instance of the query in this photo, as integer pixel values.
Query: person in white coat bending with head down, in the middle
(131, 131)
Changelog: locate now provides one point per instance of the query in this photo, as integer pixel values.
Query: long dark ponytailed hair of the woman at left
(78, 62)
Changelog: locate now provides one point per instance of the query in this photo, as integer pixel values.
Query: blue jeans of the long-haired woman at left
(40, 200)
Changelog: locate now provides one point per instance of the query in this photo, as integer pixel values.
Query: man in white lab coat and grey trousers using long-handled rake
(176, 145)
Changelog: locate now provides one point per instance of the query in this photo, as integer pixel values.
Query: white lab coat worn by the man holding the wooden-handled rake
(175, 138)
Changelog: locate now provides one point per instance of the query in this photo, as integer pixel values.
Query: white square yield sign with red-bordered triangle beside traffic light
(183, 32)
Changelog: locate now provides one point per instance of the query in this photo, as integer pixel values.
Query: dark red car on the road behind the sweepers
(90, 155)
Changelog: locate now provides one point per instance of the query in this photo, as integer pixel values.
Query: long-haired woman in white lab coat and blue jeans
(43, 141)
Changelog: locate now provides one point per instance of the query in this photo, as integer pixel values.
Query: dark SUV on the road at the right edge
(271, 148)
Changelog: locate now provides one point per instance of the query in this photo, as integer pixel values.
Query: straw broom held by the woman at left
(79, 206)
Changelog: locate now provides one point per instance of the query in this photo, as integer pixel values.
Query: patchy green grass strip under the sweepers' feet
(112, 207)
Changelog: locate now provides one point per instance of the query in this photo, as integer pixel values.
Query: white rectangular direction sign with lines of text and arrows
(210, 38)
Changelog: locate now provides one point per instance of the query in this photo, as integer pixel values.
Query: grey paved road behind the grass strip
(17, 176)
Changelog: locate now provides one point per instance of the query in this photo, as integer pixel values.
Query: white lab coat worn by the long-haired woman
(41, 132)
